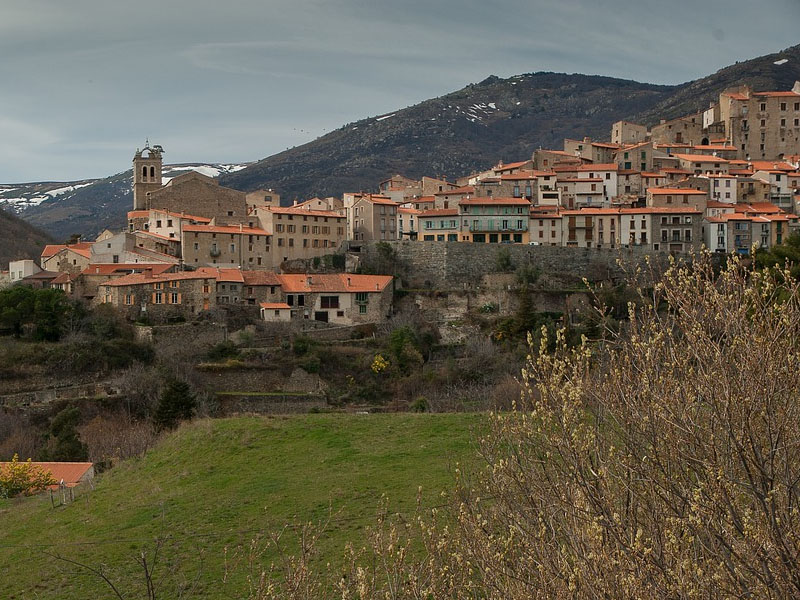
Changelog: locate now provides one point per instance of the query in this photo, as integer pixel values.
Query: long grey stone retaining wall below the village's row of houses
(458, 265)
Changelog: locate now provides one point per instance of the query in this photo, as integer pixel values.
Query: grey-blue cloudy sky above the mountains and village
(83, 83)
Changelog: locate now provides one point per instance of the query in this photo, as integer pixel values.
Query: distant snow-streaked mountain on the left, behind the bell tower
(89, 206)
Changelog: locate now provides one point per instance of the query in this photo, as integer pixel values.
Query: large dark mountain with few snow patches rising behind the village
(497, 119)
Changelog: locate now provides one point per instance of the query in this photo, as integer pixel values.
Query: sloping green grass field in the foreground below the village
(220, 483)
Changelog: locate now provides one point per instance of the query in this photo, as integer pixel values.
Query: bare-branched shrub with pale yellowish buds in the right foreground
(662, 463)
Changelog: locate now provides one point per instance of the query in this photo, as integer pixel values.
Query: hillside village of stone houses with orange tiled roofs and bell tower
(726, 178)
